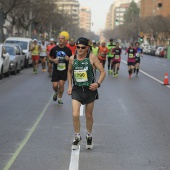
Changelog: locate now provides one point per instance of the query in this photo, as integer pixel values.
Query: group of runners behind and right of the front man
(112, 52)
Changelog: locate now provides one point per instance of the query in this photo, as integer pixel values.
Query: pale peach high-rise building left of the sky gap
(85, 18)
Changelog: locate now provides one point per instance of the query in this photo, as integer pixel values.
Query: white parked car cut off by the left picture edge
(4, 62)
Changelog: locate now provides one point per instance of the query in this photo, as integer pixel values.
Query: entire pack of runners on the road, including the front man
(77, 62)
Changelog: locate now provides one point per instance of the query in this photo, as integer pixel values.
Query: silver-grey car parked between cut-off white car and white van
(15, 61)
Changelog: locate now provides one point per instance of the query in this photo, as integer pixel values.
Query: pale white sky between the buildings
(99, 10)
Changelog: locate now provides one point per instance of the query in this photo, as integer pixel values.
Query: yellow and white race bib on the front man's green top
(80, 75)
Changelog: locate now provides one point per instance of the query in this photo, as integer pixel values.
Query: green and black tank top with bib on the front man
(83, 72)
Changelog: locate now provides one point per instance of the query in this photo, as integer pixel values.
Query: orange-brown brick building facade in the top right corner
(155, 7)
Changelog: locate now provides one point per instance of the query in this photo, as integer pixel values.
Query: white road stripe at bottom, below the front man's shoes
(74, 160)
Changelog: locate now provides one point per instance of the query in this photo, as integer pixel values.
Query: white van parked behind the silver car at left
(25, 44)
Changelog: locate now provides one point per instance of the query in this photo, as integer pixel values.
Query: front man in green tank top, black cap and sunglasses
(84, 90)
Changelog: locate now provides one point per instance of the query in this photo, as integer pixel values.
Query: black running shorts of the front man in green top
(84, 95)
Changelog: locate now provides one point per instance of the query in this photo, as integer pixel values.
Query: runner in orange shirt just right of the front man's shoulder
(103, 51)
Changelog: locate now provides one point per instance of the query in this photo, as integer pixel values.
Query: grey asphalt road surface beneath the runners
(131, 123)
